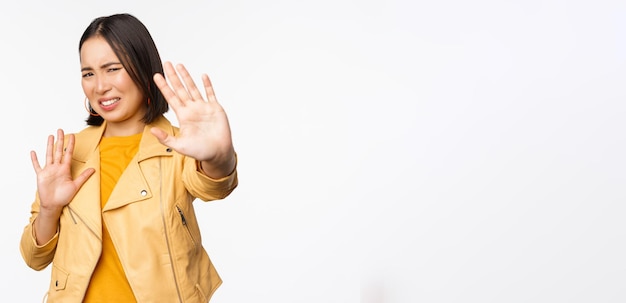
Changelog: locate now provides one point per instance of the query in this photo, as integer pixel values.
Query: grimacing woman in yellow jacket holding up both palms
(113, 210)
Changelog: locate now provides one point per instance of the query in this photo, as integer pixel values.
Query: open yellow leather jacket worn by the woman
(150, 217)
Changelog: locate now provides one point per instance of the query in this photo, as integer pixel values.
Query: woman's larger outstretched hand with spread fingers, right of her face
(204, 129)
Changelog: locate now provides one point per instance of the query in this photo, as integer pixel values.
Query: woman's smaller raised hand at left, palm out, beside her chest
(55, 185)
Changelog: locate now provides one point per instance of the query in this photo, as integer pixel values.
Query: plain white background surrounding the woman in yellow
(390, 151)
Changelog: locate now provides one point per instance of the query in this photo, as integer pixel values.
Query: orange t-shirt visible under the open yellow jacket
(108, 281)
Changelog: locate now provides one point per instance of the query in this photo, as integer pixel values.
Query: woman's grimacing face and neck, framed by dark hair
(109, 88)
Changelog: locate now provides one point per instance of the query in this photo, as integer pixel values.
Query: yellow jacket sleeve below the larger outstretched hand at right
(204, 187)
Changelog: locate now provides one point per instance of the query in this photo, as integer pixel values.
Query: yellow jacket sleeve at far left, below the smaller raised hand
(36, 256)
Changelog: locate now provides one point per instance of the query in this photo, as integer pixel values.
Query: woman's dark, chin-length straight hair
(133, 45)
